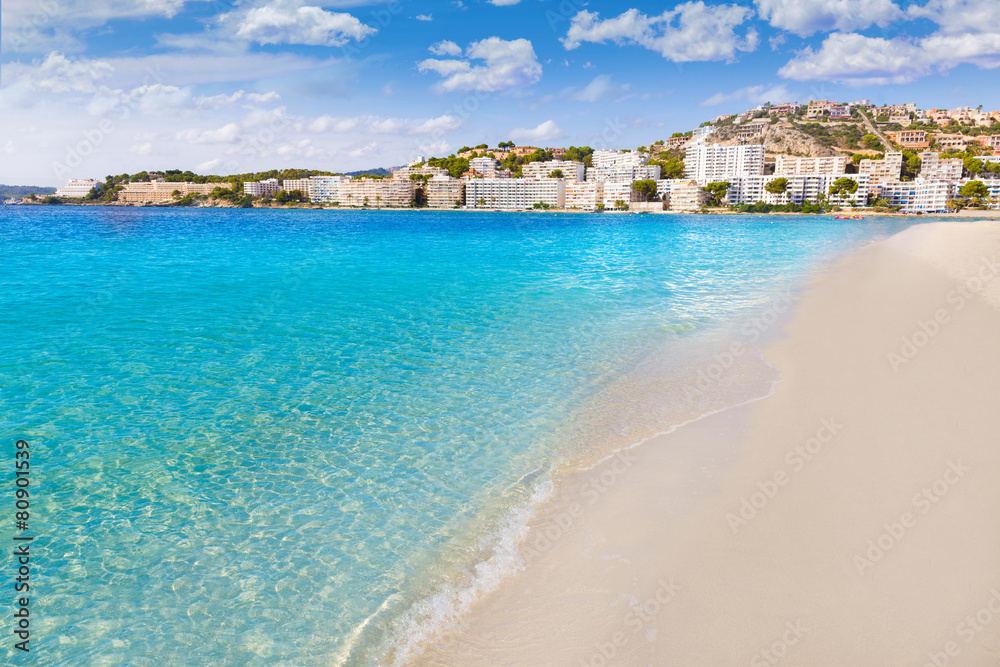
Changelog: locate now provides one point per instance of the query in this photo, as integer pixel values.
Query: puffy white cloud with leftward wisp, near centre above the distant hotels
(507, 64)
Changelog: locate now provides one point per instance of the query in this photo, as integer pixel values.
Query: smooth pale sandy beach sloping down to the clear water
(852, 517)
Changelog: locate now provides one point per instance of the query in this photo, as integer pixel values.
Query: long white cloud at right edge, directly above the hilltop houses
(855, 59)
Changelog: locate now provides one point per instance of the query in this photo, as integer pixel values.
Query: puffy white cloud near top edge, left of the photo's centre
(290, 22)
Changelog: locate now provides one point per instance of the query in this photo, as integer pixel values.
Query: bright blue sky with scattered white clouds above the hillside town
(93, 87)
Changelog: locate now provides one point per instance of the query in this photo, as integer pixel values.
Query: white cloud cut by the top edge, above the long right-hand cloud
(806, 17)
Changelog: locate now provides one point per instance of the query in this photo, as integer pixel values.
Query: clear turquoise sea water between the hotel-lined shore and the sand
(282, 437)
